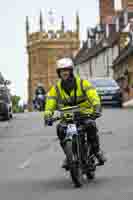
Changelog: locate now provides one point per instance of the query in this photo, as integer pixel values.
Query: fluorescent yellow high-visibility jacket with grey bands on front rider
(86, 96)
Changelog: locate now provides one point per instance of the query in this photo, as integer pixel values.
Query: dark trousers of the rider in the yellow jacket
(92, 135)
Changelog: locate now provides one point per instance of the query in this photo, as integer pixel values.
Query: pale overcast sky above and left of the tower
(14, 57)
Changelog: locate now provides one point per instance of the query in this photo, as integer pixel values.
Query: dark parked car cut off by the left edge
(5, 101)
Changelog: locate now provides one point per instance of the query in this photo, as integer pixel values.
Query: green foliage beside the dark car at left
(15, 104)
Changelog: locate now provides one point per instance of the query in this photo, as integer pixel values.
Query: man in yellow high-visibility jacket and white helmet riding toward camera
(71, 90)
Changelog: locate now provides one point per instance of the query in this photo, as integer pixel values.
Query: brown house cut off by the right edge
(123, 65)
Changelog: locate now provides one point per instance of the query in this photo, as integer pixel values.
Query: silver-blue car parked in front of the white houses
(108, 90)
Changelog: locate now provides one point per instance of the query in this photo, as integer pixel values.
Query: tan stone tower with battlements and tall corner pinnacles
(44, 48)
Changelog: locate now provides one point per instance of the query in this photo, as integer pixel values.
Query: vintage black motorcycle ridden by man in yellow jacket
(81, 160)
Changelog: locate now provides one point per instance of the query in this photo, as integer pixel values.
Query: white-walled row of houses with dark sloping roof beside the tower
(98, 52)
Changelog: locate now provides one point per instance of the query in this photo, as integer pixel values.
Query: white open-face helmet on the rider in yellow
(64, 63)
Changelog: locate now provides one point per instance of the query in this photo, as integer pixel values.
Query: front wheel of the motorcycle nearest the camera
(74, 167)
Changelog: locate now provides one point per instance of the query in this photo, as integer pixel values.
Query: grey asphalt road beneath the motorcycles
(30, 159)
